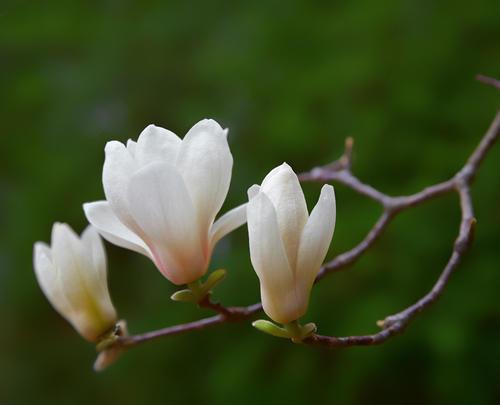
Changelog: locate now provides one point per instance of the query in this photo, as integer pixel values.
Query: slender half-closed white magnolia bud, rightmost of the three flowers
(287, 246)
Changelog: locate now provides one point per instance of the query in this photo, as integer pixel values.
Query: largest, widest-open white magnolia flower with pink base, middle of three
(163, 194)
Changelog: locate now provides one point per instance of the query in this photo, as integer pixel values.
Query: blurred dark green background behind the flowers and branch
(291, 80)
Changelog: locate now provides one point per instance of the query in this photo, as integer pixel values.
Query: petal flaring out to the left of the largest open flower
(101, 216)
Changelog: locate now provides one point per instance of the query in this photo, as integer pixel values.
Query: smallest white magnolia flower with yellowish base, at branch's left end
(72, 275)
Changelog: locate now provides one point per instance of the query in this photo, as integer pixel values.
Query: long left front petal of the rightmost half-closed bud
(270, 261)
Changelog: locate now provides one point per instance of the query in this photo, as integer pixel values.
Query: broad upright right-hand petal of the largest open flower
(205, 163)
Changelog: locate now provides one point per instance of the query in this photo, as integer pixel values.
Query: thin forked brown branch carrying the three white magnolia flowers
(340, 171)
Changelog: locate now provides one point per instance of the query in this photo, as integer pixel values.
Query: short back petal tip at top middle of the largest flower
(157, 144)
